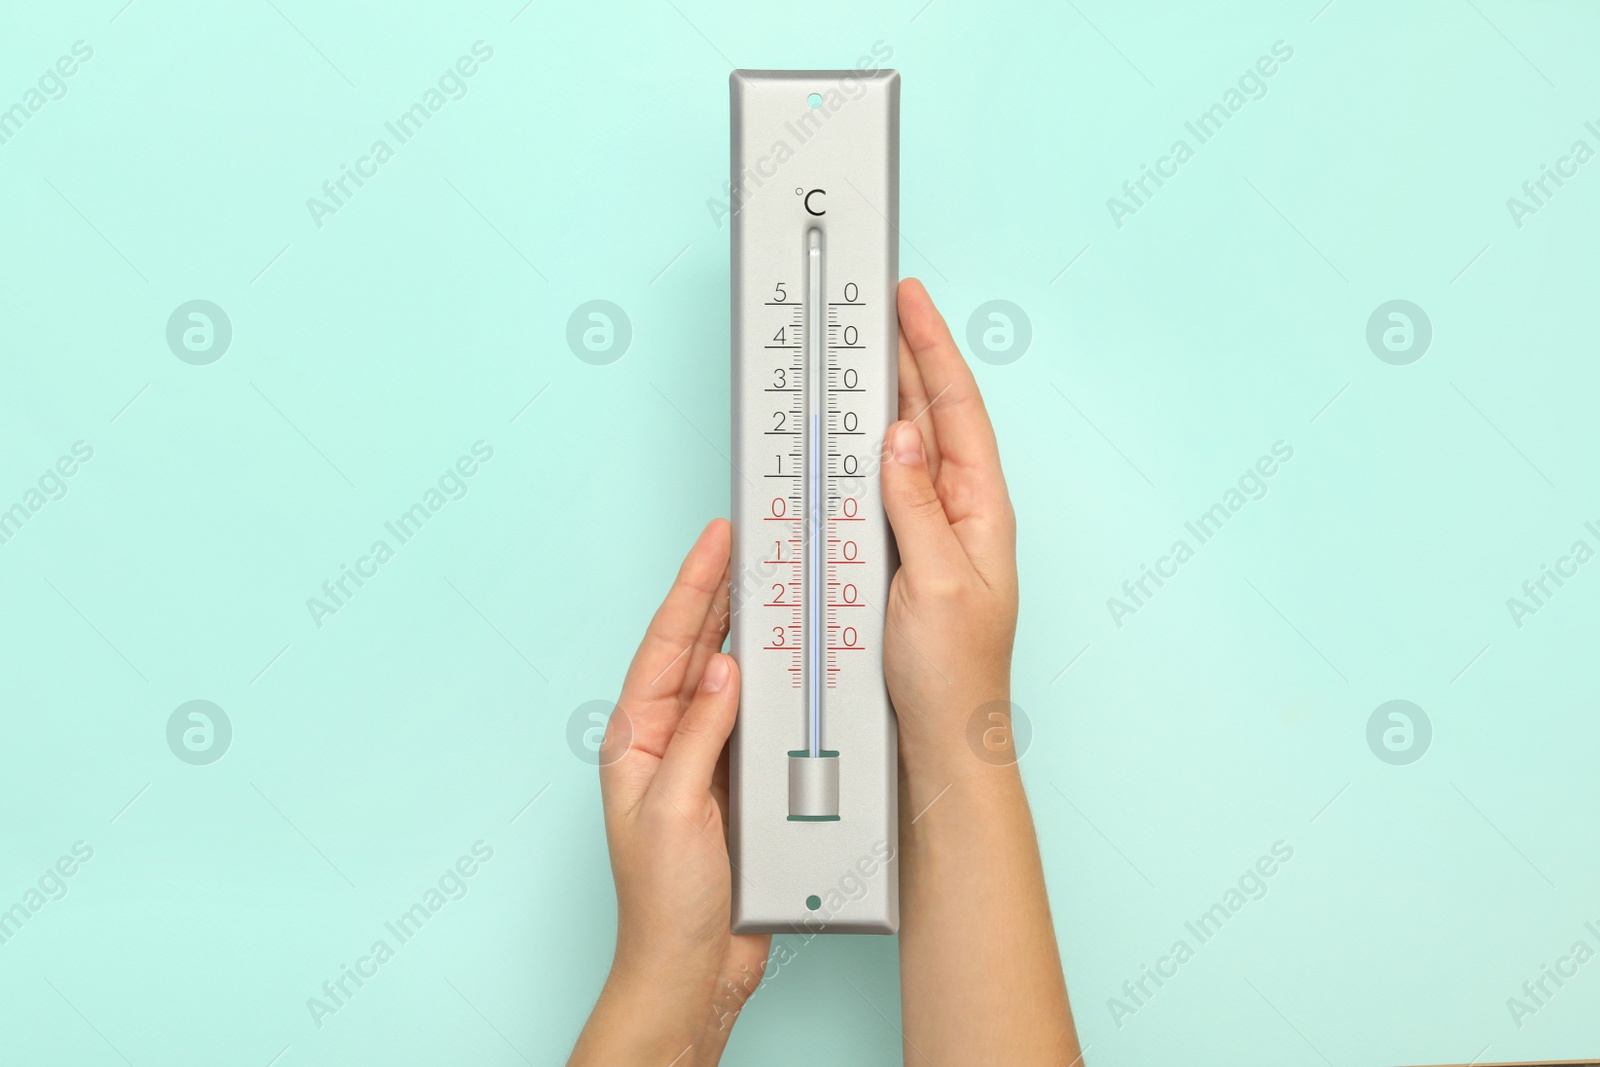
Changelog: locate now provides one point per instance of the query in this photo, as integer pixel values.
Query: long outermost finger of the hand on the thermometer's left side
(649, 706)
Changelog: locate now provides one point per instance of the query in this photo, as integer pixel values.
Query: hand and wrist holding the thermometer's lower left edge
(679, 977)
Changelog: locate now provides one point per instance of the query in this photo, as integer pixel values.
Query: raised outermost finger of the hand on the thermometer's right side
(967, 441)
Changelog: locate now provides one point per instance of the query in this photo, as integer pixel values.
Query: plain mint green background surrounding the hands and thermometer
(1223, 318)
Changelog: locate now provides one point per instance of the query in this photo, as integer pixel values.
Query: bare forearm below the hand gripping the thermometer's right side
(980, 972)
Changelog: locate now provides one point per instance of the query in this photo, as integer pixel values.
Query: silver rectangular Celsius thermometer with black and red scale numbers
(815, 353)
